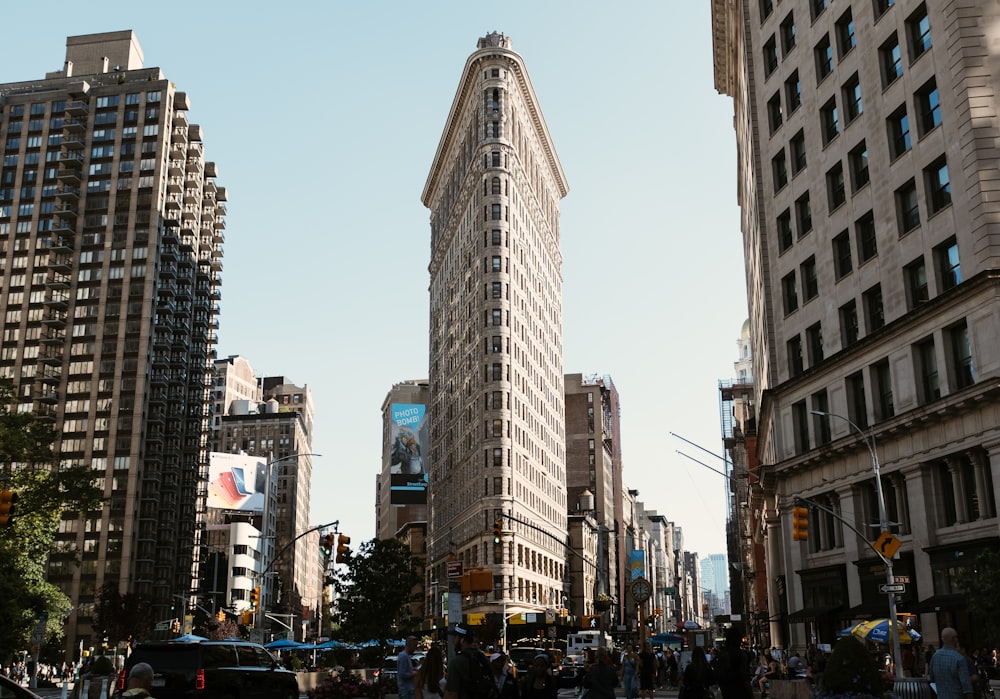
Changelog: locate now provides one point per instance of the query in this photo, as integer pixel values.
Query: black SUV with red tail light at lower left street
(212, 670)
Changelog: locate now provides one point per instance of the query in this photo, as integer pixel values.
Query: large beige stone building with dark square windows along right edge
(866, 164)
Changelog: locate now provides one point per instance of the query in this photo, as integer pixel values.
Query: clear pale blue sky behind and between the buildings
(323, 119)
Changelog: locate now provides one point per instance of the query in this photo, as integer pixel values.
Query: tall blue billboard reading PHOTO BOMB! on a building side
(407, 450)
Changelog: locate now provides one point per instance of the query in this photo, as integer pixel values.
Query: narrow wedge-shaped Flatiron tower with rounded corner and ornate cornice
(497, 440)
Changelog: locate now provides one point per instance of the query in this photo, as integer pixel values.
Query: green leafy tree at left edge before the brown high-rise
(44, 493)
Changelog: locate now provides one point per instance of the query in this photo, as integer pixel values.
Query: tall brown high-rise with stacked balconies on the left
(111, 232)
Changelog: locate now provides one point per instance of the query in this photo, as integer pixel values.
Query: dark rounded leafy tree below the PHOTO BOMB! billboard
(375, 592)
